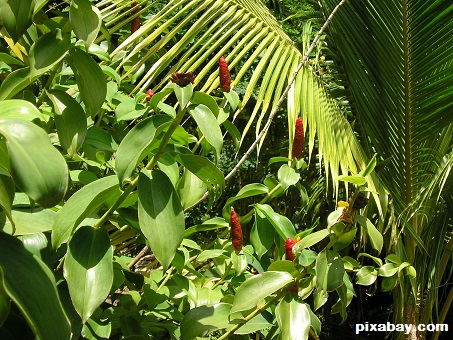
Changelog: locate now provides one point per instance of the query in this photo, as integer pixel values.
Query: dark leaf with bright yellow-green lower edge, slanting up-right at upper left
(48, 51)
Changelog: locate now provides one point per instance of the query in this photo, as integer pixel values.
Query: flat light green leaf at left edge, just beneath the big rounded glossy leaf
(26, 222)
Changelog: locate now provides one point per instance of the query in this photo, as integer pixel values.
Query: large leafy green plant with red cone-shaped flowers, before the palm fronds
(94, 176)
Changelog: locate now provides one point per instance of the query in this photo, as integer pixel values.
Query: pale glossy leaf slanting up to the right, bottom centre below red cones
(258, 287)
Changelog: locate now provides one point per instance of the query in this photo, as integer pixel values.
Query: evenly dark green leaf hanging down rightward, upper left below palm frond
(90, 79)
